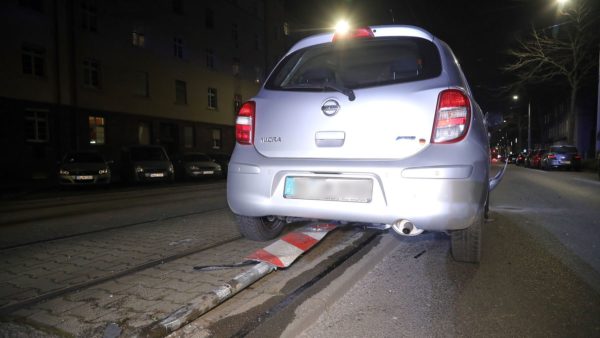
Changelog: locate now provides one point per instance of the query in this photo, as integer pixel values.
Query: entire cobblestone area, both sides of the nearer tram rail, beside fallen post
(136, 299)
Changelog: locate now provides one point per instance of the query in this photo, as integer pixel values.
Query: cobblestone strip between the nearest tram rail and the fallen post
(136, 300)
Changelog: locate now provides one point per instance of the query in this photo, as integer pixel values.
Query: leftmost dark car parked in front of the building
(84, 168)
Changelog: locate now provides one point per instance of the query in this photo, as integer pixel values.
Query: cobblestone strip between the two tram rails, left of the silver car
(32, 271)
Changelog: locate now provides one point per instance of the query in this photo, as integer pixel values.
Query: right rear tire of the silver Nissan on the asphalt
(466, 243)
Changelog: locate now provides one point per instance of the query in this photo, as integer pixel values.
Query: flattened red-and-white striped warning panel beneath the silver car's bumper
(283, 252)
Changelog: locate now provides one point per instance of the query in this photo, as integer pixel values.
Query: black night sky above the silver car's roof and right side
(479, 32)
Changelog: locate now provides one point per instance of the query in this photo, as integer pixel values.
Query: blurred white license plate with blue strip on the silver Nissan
(358, 190)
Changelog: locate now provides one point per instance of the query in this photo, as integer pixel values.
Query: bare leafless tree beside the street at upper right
(563, 51)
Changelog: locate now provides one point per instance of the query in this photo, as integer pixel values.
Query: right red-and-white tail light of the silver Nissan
(452, 117)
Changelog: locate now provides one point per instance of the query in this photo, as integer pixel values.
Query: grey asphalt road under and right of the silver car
(539, 275)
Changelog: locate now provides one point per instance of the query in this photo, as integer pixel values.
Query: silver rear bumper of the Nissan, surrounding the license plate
(433, 197)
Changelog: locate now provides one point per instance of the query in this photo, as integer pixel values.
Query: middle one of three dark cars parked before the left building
(146, 163)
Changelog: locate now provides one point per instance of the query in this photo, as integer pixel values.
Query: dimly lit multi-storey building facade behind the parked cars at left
(100, 75)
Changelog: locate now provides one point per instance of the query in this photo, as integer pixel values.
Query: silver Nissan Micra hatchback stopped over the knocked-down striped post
(374, 126)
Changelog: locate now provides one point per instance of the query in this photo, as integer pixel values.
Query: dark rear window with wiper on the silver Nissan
(357, 64)
